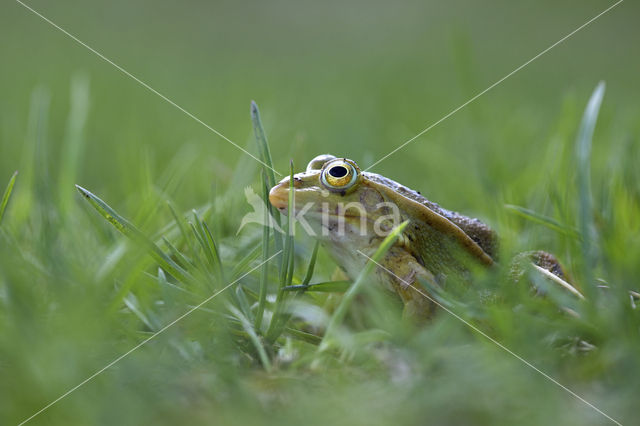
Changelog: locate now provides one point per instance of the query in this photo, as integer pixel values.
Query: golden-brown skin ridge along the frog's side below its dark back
(441, 224)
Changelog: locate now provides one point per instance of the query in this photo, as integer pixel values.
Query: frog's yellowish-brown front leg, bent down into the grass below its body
(403, 271)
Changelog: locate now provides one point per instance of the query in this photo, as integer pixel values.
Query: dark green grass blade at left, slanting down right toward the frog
(124, 226)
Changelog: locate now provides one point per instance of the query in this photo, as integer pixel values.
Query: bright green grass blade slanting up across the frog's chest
(338, 316)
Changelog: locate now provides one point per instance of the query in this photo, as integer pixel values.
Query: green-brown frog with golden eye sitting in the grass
(351, 211)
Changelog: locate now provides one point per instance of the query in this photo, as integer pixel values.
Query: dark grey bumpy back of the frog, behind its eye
(478, 231)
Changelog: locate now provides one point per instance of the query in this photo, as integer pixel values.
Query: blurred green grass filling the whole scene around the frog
(354, 79)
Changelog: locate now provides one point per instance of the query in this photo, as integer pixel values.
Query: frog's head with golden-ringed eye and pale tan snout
(337, 201)
